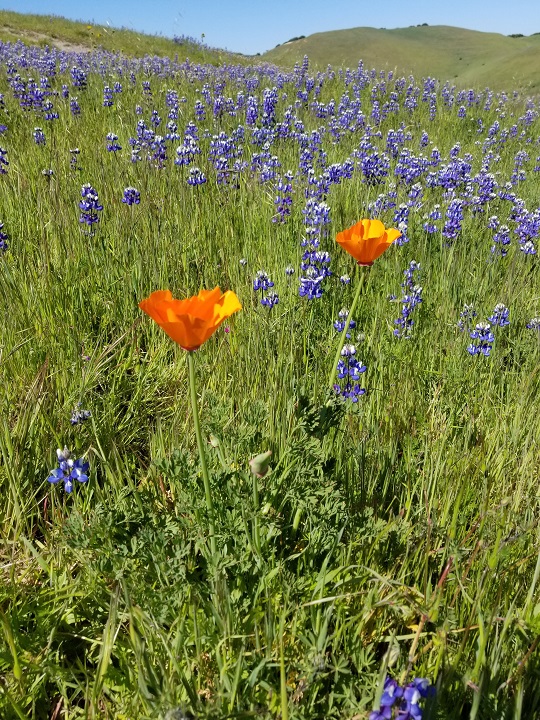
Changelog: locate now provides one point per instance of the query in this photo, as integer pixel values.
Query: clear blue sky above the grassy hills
(252, 26)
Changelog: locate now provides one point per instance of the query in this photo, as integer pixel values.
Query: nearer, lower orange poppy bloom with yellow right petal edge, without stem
(190, 322)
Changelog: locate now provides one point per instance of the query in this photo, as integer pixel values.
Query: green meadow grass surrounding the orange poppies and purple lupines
(399, 535)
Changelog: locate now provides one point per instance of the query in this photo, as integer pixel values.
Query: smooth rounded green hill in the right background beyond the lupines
(466, 57)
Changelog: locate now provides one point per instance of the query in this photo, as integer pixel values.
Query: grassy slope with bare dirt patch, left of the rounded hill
(81, 36)
